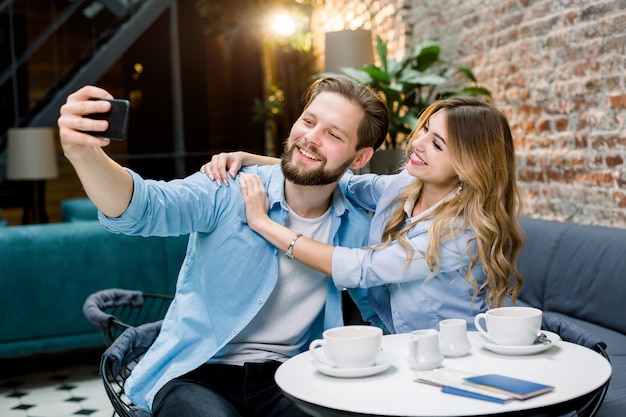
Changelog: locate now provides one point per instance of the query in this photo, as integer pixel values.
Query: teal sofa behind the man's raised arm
(47, 271)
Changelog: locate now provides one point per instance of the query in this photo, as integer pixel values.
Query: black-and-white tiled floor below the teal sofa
(53, 386)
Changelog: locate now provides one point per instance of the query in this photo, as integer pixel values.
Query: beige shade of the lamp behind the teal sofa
(31, 153)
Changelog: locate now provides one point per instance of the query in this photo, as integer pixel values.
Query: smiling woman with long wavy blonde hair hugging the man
(444, 237)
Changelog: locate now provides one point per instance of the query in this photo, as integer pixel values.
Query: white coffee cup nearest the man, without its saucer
(352, 346)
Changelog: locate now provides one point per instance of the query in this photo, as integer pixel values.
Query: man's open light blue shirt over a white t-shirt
(229, 270)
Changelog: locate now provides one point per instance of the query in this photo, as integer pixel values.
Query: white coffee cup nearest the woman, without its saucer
(510, 326)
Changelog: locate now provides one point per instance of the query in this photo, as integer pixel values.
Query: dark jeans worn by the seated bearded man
(225, 390)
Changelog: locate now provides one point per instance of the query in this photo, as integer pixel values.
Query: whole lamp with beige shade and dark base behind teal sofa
(31, 157)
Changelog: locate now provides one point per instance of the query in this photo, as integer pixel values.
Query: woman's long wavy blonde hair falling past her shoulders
(482, 154)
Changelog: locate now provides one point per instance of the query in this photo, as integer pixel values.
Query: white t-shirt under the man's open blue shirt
(282, 326)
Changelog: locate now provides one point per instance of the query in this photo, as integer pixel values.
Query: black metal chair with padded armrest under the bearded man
(129, 322)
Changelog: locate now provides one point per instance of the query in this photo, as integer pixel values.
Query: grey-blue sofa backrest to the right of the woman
(576, 270)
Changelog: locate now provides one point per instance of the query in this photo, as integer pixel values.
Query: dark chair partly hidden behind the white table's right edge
(571, 332)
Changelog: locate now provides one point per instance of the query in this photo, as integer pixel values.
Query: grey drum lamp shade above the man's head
(348, 48)
